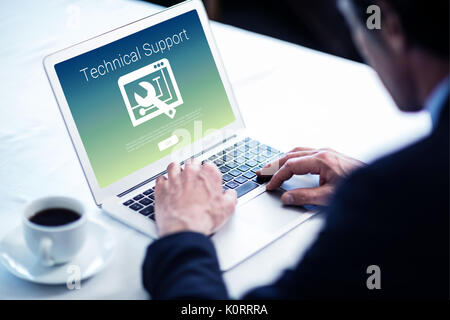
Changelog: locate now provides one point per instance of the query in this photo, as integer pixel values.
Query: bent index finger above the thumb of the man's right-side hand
(303, 165)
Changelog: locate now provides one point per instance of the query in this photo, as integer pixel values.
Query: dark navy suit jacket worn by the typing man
(393, 214)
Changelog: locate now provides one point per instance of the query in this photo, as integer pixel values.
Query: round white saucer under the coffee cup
(93, 257)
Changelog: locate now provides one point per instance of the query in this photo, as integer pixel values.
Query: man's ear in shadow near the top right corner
(392, 31)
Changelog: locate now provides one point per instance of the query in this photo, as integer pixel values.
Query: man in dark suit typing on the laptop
(392, 215)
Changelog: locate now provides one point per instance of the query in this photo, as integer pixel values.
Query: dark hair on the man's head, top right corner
(425, 23)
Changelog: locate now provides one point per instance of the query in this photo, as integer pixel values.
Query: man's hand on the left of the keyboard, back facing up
(192, 199)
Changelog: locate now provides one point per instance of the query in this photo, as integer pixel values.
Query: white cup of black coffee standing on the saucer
(54, 244)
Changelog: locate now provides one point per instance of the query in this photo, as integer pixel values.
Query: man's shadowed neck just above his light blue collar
(428, 72)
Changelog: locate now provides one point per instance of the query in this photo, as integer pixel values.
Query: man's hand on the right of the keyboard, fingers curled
(329, 164)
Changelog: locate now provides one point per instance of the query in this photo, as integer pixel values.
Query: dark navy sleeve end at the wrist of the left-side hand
(183, 266)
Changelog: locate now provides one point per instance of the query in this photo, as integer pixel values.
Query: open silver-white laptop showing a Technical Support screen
(152, 92)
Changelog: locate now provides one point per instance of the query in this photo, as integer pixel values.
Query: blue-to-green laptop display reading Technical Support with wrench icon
(137, 99)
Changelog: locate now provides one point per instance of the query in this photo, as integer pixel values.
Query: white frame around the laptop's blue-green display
(153, 169)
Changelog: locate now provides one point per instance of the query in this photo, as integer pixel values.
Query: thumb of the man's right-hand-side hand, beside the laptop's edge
(303, 196)
